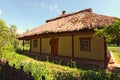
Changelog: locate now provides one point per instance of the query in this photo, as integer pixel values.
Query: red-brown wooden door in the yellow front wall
(54, 46)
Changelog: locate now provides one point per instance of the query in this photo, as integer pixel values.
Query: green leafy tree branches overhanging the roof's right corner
(110, 32)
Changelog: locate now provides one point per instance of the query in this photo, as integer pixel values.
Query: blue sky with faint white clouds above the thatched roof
(28, 14)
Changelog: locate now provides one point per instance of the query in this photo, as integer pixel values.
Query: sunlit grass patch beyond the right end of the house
(116, 53)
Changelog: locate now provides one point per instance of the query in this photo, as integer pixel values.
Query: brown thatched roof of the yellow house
(76, 21)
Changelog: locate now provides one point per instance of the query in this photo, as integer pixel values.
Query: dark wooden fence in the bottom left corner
(11, 73)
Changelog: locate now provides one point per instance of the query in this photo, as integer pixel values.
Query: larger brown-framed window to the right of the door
(85, 44)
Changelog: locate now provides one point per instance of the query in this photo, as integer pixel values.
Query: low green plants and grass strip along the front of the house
(52, 71)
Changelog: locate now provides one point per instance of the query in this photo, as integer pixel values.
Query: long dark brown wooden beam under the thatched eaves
(45, 35)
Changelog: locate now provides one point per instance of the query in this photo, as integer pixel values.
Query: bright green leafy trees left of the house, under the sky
(7, 36)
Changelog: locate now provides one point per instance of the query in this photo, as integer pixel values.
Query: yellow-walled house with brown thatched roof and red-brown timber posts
(71, 35)
